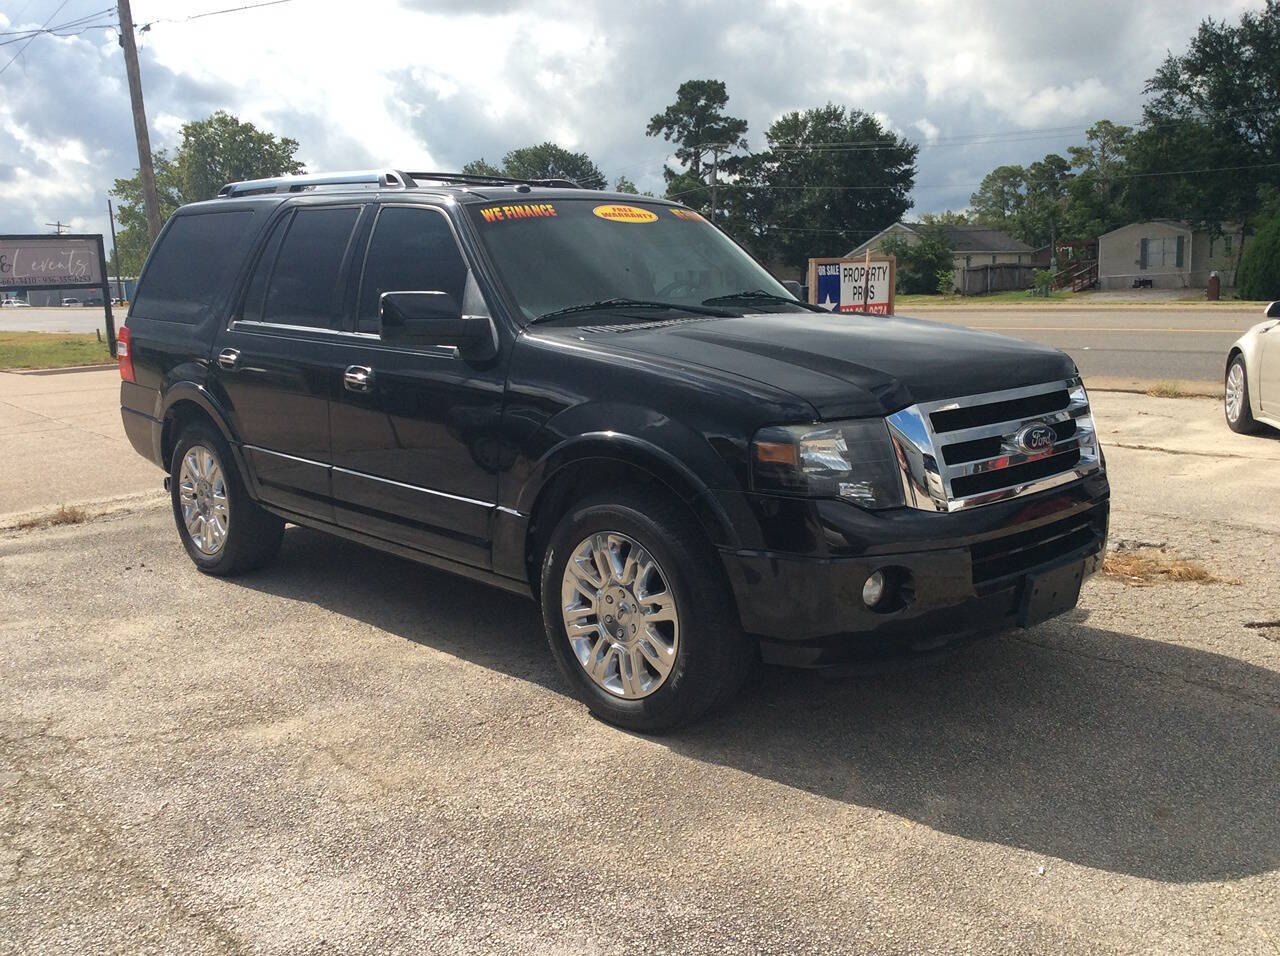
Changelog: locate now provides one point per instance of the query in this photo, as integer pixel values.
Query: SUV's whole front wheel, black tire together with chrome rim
(639, 615)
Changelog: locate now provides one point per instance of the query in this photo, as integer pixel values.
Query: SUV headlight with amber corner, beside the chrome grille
(849, 460)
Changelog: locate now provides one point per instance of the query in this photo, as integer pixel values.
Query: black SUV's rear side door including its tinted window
(280, 362)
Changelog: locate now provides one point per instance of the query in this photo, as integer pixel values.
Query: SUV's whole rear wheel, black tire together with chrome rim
(225, 532)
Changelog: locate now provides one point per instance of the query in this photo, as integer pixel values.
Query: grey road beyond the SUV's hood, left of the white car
(1168, 345)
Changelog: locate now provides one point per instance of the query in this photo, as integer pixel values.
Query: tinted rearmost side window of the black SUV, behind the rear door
(191, 267)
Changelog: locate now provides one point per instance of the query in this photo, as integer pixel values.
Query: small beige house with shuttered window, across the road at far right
(1167, 254)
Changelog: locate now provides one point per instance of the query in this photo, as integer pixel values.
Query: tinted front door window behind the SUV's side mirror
(413, 250)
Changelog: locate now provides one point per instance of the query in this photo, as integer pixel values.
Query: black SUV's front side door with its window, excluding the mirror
(414, 429)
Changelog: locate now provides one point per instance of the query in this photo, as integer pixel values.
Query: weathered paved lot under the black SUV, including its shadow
(351, 753)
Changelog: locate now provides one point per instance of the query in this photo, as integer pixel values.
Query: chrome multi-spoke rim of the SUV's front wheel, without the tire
(620, 615)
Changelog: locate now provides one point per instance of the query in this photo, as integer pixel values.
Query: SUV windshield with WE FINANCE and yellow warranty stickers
(565, 255)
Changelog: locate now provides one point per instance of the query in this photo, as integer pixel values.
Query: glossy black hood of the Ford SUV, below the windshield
(847, 365)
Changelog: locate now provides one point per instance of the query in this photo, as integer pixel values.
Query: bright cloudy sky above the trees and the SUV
(435, 84)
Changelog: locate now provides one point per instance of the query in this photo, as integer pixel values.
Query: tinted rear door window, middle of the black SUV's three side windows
(305, 282)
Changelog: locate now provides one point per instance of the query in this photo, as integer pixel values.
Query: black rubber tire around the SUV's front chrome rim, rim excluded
(687, 683)
